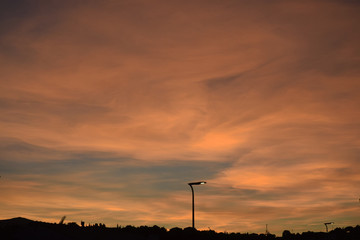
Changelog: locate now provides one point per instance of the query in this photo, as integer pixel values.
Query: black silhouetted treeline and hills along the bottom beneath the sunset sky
(24, 229)
